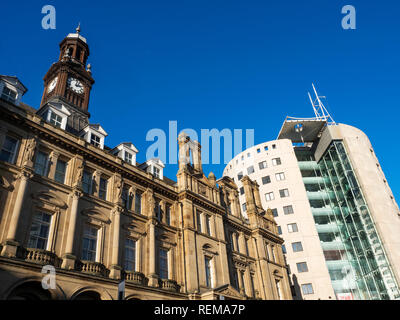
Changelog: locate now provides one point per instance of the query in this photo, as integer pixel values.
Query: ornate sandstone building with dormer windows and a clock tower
(99, 217)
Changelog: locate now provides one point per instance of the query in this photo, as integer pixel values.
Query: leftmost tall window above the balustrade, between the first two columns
(39, 233)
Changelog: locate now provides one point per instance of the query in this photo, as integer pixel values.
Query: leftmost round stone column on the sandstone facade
(11, 243)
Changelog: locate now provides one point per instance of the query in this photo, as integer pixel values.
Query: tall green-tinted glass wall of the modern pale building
(354, 254)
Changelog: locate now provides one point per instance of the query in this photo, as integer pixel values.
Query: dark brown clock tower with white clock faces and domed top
(69, 81)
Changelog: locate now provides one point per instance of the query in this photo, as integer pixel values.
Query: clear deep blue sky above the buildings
(220, 64)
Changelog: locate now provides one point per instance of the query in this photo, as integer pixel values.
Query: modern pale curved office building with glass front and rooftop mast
(333, 205)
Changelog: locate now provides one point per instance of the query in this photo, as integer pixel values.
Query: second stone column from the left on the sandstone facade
(69, 257)
